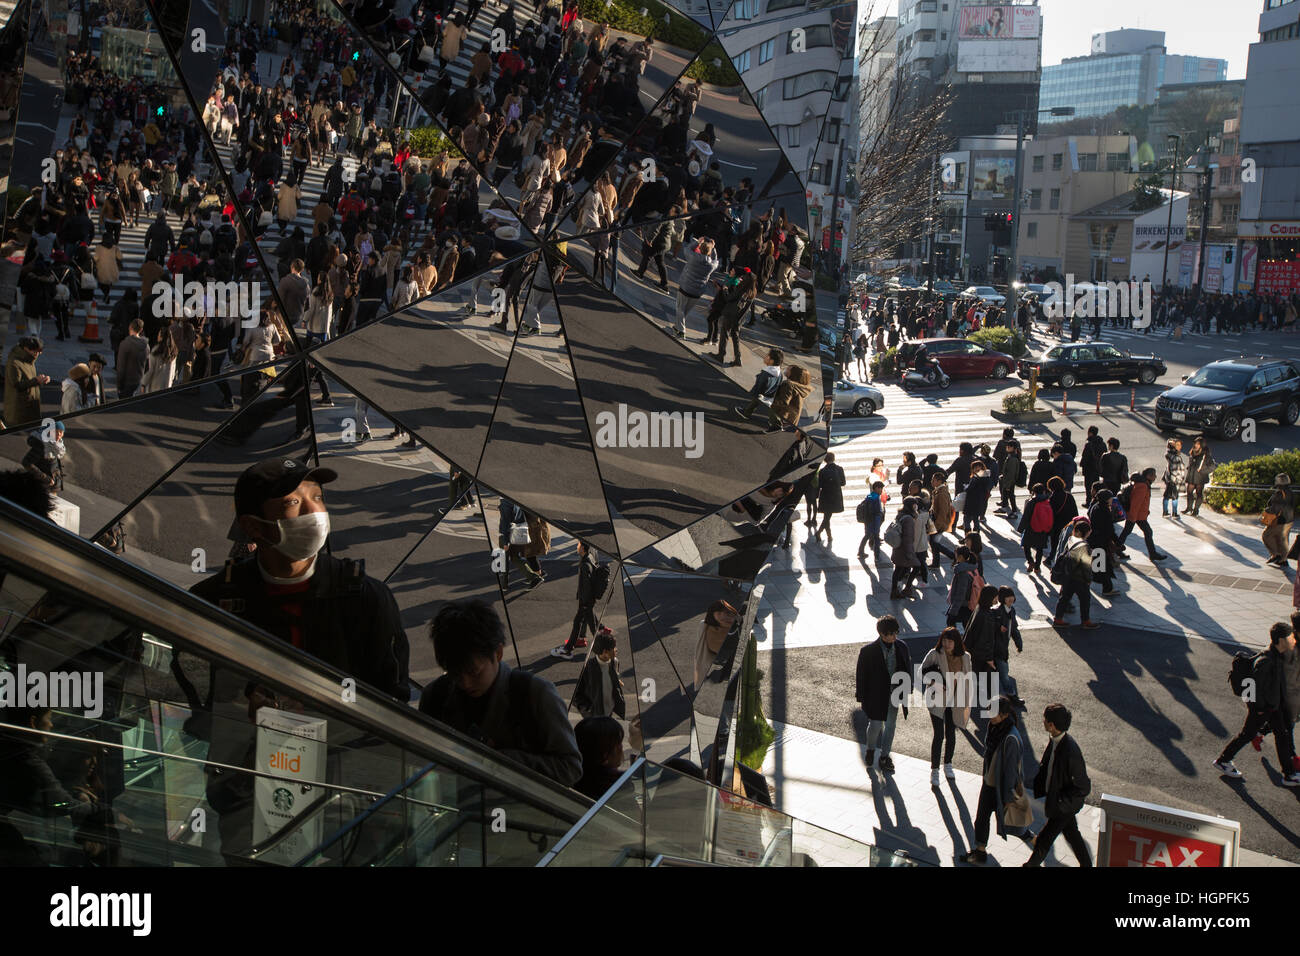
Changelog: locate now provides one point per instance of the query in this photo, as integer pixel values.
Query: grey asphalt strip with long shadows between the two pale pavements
(1151, 713)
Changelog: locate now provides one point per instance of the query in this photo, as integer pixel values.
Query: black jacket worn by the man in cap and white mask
(350, 621)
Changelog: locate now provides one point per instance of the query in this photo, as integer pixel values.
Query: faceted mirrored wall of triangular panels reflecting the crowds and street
(447, 259)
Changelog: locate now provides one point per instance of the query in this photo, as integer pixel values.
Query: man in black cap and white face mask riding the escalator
(294, 590)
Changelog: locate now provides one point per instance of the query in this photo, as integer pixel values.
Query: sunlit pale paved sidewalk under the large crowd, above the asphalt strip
(1214, 586)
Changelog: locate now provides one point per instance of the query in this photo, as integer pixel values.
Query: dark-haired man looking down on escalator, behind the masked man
(480, 695)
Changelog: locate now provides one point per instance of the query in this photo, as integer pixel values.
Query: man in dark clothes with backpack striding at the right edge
(1273, 706)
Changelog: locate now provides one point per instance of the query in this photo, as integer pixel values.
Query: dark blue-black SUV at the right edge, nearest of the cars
(1221, 396)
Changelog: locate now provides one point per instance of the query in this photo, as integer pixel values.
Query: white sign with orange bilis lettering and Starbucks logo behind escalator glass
(293, 747)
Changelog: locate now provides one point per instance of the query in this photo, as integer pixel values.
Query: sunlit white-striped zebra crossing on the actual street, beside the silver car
(922, 425)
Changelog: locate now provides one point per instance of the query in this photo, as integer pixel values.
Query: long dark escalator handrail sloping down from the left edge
(59, 557)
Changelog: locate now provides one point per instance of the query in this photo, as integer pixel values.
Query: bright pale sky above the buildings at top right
(1193, 28)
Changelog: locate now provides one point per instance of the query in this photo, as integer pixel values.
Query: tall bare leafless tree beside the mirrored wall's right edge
(903, 118)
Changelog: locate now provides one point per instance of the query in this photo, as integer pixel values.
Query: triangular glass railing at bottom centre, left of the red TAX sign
(657, 817)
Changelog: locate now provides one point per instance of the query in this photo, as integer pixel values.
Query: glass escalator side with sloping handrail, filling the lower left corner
(166, 733)
